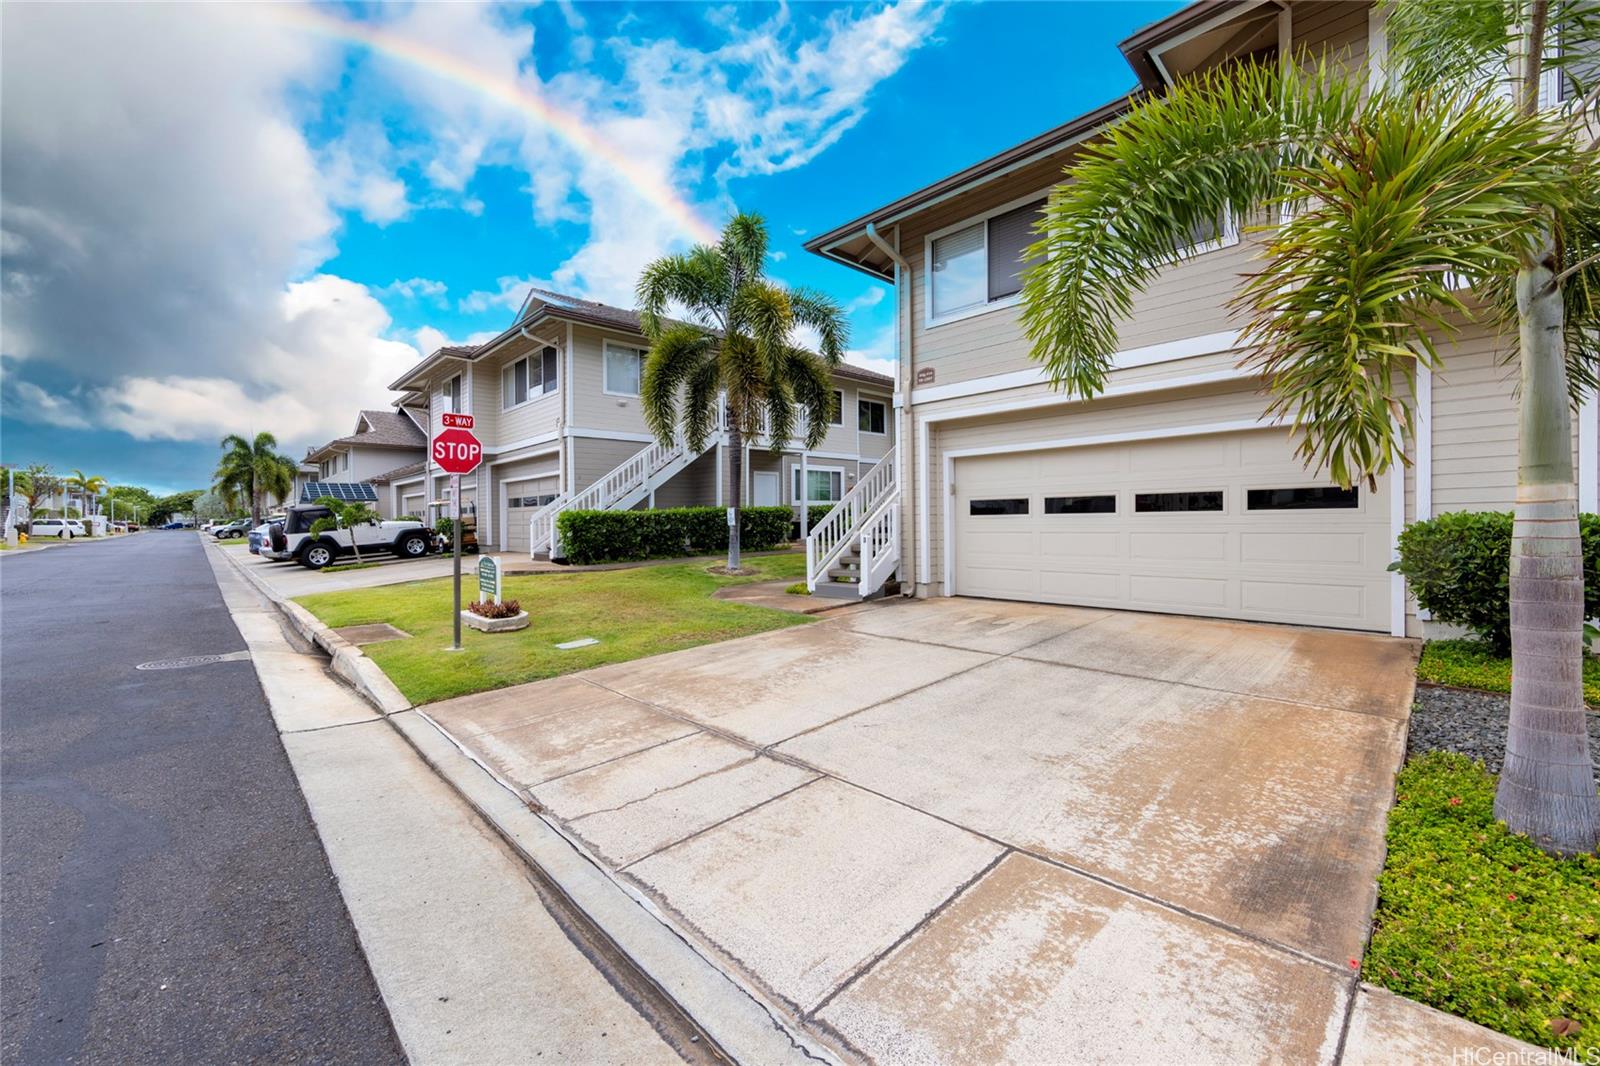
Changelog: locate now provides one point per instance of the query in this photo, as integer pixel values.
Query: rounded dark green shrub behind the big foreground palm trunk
(1458, 567)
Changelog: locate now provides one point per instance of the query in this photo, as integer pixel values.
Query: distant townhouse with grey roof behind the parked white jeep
(382, 446)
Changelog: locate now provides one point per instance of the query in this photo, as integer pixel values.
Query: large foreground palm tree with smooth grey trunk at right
(1402, 214)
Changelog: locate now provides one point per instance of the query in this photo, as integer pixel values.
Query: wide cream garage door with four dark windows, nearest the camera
(1228, 526)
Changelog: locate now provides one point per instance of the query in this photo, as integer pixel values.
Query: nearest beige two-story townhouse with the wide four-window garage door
(1174, 491)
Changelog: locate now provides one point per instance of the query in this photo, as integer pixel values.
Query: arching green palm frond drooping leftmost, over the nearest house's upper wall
(1135, 199)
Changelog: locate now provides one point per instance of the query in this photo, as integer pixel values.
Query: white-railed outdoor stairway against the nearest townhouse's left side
(854, 553)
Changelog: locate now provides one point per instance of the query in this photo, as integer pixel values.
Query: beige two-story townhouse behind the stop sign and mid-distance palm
(556, 401)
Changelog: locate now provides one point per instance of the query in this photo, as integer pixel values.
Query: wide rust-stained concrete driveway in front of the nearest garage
(962, 832)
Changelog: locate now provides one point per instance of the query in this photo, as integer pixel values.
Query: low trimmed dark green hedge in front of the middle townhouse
(590, 537)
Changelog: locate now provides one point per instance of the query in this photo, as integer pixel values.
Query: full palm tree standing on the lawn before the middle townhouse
(737, 348)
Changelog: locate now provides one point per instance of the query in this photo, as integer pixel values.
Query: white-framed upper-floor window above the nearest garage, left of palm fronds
(980, 265)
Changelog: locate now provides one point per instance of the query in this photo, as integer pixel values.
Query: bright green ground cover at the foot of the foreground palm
(1481, 923)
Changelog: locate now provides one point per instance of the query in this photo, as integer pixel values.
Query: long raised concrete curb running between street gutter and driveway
(745, 1027)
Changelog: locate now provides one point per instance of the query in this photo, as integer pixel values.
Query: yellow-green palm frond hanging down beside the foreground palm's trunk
(1402, 212)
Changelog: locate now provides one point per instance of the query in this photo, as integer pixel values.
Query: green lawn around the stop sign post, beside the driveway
(633, 614)
